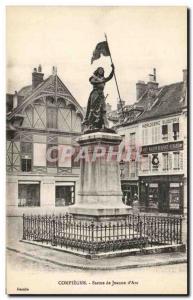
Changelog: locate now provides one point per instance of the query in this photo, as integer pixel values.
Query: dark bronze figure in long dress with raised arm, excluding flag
(95, 119)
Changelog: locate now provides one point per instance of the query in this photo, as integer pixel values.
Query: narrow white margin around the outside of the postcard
(3, 4)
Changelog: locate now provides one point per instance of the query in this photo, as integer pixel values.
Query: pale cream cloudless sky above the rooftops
(140, 39)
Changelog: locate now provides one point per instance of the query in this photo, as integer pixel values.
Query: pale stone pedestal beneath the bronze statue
(100, 194)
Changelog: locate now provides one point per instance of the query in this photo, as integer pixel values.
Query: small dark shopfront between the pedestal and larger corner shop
(129, 190)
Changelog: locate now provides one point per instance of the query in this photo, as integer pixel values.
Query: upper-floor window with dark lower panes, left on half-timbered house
(26, 157)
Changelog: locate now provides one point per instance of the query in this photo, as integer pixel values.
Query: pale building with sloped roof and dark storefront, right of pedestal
(156, 130)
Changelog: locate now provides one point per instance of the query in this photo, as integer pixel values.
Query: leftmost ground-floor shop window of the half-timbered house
(29, 194)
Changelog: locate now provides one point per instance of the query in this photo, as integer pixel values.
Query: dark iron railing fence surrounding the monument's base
(136, 231)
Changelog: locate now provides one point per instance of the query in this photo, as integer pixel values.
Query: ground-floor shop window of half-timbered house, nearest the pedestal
(65, 195)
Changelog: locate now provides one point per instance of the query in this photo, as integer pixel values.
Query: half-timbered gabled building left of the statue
(42, 118)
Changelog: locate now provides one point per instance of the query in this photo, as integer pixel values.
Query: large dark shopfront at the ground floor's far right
(161, 193)
